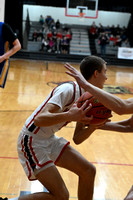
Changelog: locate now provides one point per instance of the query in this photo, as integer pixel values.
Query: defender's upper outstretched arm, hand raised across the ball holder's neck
(112, 102)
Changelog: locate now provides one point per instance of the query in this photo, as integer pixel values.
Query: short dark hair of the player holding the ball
(89, 64)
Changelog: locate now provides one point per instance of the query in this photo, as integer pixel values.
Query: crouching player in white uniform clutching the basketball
(40, 150)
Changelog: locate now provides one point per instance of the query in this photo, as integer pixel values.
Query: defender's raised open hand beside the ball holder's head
(76, 74)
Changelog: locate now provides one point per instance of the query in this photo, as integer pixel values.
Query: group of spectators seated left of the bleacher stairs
(53, 37)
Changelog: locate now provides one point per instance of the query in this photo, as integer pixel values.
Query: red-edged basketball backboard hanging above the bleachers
(82, 8)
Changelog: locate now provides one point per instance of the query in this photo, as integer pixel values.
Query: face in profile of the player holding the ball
(102, 77)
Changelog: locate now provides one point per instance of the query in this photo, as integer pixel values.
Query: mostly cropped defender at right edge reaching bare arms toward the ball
(114, 103)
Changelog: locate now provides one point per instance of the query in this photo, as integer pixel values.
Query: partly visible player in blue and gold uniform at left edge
(9, 45)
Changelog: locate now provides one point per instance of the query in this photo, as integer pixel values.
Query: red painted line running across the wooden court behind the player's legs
(97, 163)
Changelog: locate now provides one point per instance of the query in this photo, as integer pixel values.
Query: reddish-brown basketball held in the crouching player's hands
(99, 111)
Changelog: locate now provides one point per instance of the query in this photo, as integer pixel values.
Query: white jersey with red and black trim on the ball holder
(64, 96)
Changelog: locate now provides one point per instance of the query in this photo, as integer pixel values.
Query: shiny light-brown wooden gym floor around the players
(28, 83)
